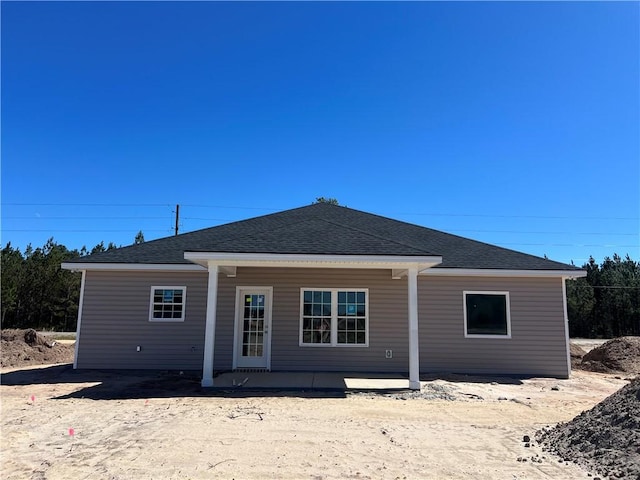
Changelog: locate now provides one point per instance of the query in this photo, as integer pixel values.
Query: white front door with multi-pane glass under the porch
(253, 328)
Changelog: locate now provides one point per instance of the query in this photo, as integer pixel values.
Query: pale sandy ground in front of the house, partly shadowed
(143, 426)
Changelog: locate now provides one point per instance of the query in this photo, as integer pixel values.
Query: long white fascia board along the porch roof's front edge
(305, 260)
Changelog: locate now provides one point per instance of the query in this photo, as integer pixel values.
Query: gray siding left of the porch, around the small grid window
(115, 319)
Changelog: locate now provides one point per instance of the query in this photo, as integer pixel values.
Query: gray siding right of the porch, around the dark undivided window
(537, 344)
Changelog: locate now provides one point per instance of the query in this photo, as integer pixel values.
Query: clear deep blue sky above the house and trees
(516, 124)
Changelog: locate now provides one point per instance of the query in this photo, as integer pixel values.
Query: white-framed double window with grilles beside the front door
(334, 317)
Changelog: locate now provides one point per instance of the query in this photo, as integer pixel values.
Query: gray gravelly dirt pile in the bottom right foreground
(605, 439)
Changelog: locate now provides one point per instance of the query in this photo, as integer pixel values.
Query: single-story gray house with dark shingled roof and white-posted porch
(323, 288)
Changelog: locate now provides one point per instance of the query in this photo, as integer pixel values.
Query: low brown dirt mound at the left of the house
(19, 348)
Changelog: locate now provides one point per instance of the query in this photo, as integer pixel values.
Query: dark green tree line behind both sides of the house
(38, 293)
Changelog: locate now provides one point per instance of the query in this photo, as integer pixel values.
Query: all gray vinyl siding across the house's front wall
(116, 319)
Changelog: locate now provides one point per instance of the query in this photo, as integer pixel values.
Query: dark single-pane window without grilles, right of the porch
(487, 314)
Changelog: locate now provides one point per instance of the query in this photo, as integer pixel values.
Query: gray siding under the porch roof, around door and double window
(388, 328)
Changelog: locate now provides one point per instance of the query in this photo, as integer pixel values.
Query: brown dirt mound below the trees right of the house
(617, 355)
